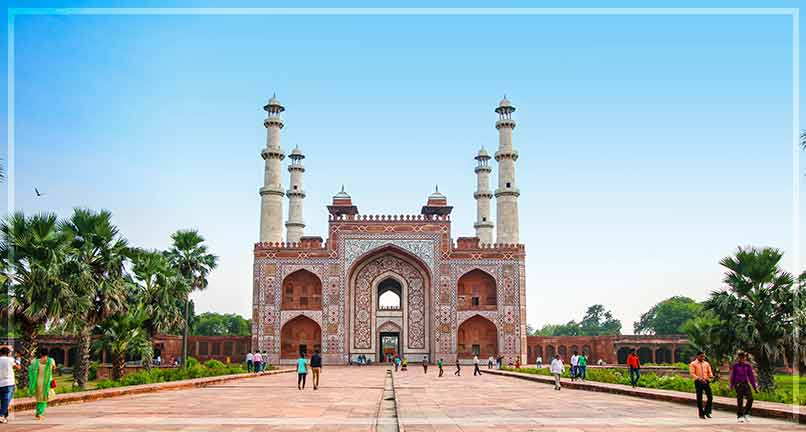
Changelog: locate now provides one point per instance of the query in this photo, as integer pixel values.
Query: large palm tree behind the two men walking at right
(757, 307)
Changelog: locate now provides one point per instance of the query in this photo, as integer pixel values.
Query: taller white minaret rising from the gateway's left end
(271, 194)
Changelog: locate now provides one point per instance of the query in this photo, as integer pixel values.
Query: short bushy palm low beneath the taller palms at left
(124, 334)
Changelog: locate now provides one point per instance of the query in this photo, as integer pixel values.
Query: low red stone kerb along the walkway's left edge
(25, 404)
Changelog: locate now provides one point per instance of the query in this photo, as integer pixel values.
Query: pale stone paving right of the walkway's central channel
(487, 402)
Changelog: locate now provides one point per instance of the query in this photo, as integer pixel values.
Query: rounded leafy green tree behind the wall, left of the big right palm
(668, 316)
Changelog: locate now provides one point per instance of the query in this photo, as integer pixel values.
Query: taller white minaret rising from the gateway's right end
(506, 196)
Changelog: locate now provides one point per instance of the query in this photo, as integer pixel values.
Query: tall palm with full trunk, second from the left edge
(100, 253)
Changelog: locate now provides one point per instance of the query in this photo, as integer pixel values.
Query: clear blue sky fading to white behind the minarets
(651, 146)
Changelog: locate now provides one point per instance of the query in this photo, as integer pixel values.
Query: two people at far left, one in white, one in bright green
(40, 381)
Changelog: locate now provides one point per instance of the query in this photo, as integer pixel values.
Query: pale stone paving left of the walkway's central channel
(347, 400)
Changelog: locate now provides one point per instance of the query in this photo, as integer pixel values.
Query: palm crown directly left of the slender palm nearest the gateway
(161, 290)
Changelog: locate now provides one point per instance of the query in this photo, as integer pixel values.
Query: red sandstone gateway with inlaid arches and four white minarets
(389, 284)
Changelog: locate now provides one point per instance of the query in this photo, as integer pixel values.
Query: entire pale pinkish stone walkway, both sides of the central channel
(349, 398)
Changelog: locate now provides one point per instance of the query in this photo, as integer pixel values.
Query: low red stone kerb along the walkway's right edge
(760, 408)
